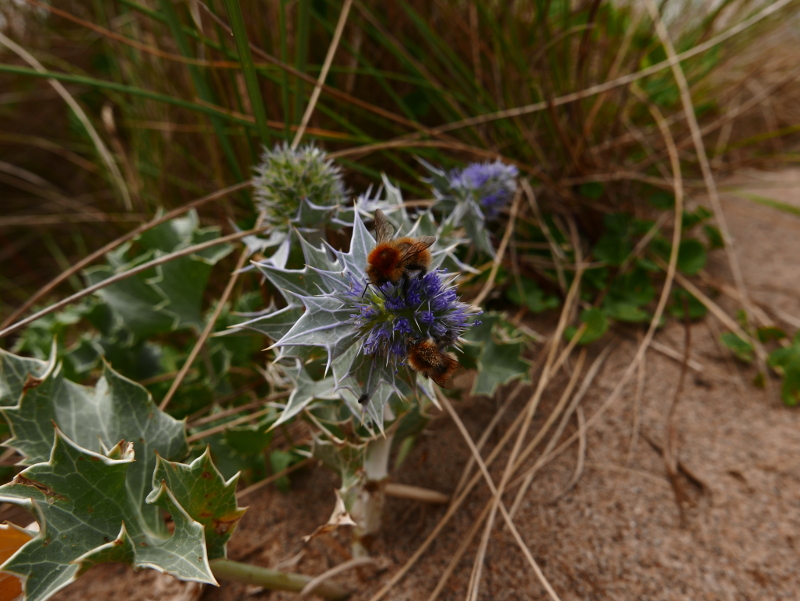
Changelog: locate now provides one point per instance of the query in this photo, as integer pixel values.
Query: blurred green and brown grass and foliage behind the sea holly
(168, 105)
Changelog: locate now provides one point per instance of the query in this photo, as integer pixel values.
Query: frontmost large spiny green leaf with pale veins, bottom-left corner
(85, 510)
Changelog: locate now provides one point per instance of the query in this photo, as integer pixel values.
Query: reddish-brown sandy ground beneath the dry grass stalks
(617, 534)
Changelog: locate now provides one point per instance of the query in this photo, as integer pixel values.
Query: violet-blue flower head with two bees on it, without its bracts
(392, 316)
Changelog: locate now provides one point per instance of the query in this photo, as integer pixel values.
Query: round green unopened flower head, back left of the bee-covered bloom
(286, 179)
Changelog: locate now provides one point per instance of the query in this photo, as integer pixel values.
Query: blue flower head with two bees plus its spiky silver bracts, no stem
(366, 330)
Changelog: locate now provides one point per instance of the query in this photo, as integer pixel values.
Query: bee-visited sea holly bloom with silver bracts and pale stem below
(346, 342)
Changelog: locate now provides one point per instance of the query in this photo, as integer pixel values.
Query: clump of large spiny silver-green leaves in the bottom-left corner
(102, 471)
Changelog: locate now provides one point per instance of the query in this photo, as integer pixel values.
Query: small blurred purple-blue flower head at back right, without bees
(490, 184)
